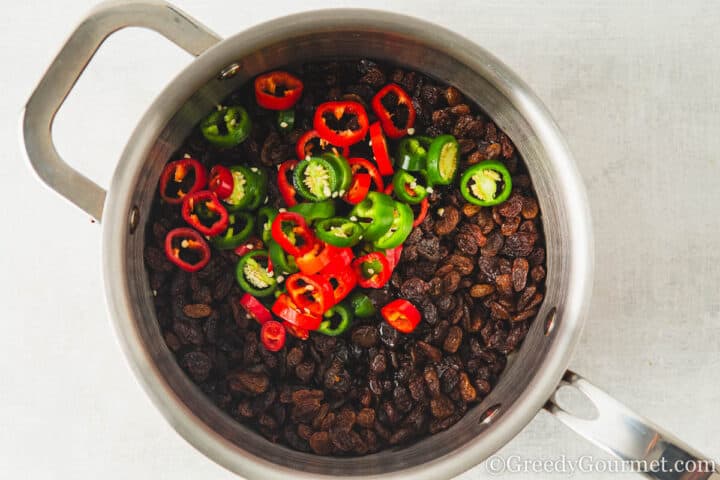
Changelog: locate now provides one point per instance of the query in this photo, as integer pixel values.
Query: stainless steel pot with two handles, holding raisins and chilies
(532, 377)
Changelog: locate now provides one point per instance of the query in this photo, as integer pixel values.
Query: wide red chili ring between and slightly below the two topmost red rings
(341, 123)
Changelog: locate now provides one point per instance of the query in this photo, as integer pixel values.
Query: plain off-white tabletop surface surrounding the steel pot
(634, 86)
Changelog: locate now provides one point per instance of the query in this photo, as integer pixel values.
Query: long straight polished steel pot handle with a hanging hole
(647, 448)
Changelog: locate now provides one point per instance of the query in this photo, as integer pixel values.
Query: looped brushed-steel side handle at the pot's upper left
(66, 68)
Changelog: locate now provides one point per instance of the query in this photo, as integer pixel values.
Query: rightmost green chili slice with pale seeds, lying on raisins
(479, 184)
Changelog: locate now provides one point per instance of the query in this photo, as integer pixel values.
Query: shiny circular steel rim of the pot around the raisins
(192, 78)
